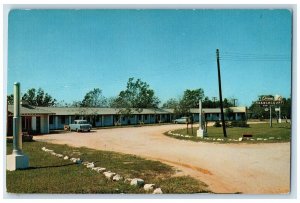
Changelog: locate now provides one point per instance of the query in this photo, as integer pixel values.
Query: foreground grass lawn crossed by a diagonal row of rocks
(50, 174)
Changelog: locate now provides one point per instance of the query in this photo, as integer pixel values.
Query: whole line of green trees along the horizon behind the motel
(138, 95)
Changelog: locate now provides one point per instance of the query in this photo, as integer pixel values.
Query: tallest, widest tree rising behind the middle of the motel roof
(137, 95)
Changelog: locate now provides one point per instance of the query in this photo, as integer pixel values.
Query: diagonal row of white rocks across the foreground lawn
(138, 182)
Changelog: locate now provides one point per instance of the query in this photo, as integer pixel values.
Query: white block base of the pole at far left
(14, 162)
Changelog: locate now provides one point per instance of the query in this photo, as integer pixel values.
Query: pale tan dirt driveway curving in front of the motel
(226, 168)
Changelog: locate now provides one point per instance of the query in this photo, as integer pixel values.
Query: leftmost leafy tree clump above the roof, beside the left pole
(38, 98)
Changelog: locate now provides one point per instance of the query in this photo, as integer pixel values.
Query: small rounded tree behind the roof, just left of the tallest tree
(94, 98)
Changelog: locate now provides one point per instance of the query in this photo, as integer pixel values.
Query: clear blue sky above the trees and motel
(69, 52)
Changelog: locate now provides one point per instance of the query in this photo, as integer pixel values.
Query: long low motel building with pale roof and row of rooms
(41, 120)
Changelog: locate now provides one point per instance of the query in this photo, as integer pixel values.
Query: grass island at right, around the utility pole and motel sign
(282, 131)
